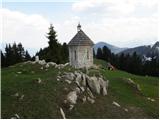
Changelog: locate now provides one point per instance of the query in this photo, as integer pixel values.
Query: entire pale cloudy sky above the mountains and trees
(123, 23)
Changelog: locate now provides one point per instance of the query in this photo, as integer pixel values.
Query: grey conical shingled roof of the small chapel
(81, 39)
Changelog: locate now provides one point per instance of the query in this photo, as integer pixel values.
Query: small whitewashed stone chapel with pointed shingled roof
(81, 50)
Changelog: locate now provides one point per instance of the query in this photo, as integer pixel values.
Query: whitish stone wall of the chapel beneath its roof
(83, 57)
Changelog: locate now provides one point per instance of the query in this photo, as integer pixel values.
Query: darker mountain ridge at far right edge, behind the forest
(148, 51)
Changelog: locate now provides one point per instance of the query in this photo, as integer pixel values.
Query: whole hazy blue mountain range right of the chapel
(146, 50)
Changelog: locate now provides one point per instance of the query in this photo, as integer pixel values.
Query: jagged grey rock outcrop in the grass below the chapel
(86, 87)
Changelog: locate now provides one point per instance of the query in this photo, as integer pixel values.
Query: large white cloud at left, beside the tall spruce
(30, 30)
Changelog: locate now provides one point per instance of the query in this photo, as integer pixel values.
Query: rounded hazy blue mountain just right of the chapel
(113, 48)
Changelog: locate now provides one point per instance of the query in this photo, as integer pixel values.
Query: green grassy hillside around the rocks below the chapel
(44, 100)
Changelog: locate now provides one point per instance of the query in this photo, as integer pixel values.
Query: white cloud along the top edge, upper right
(122, 7)
